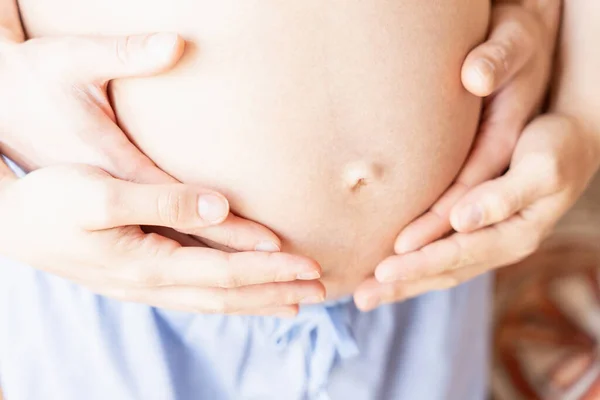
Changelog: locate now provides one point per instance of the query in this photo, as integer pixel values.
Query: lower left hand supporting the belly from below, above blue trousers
(80, 223)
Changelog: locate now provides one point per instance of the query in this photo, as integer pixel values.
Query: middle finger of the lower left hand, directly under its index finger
(243, 300)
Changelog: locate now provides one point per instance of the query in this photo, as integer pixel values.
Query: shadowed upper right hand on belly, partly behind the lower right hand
(512, 68)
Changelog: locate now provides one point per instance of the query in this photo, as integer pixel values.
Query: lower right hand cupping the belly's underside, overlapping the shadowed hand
(502, 221)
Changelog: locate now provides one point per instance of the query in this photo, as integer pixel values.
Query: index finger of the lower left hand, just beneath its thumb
(157, 262)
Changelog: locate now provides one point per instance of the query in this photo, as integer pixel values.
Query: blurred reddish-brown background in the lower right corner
(548, 314)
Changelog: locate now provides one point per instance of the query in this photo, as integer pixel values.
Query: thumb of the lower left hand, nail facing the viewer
(182, 207)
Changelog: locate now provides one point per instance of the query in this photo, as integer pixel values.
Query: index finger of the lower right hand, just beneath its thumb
(491, 247)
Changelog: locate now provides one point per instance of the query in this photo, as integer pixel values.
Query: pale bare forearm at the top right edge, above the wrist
(577, 84)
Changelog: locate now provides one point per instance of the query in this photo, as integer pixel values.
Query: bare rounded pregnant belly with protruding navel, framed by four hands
(333, 123)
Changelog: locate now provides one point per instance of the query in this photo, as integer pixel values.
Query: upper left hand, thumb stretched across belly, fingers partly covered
(54, 109)
